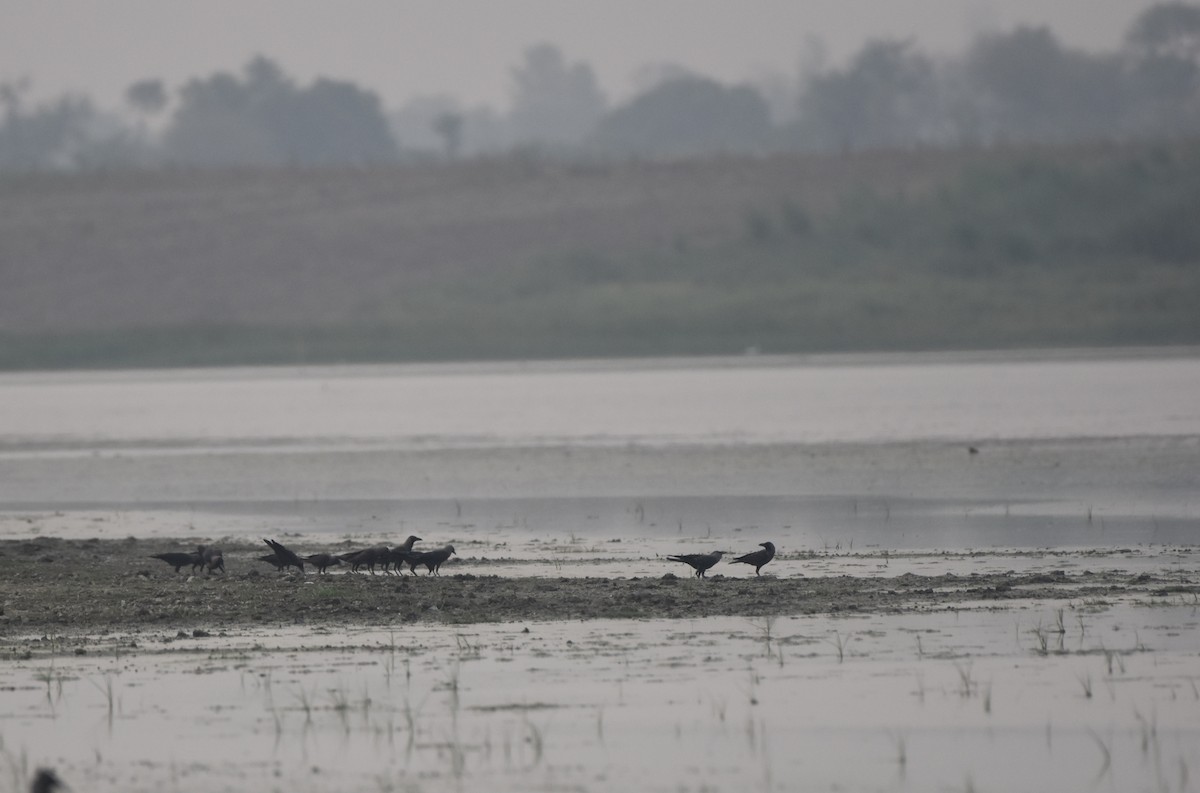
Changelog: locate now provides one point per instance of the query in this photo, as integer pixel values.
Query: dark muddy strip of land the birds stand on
(57, 586)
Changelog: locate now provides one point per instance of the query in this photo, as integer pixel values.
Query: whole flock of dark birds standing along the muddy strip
(393, 560)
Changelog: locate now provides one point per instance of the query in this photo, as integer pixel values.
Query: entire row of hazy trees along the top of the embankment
(1022, 86)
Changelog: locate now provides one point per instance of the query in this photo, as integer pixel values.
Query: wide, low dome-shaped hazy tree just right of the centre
(687, 117)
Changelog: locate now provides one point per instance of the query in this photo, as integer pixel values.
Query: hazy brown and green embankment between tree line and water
(905, 251)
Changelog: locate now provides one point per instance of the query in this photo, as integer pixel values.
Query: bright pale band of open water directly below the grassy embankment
(778, 400)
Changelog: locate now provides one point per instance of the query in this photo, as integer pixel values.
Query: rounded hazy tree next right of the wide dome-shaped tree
(887, 97)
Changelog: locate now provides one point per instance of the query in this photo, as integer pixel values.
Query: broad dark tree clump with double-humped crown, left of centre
(266, 119)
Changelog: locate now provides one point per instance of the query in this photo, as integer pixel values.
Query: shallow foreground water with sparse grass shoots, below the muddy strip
(939, 701)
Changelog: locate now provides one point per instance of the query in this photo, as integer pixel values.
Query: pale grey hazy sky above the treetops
(403, 49)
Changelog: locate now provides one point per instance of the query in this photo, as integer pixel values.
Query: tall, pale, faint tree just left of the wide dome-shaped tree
(555, 103)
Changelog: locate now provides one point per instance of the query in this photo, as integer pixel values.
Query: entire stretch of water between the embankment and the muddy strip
(1099, 449)
